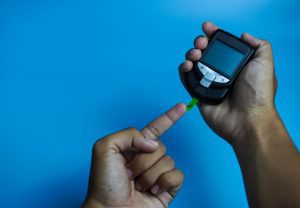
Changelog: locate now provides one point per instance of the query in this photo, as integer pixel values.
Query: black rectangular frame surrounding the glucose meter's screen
(232, 42)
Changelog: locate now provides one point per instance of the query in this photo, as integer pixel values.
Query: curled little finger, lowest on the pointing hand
(169, 182)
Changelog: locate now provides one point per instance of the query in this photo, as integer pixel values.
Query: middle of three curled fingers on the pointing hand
(146, 180)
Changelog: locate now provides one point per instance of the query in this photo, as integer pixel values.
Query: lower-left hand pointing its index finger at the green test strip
(130, 168)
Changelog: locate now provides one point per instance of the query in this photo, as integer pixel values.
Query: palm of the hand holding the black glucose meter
(250, 90)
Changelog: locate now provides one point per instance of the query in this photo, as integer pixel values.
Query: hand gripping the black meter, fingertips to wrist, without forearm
(252, 96)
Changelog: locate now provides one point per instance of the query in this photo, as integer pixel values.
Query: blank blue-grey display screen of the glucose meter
(223, 57)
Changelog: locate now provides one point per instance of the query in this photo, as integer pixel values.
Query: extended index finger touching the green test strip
(157, 127)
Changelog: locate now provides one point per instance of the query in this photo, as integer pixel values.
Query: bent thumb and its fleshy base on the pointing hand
(109, 181)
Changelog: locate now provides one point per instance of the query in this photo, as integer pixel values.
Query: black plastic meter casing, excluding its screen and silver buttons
(216, 92)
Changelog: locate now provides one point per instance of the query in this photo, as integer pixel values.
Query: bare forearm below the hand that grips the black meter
(270, 163)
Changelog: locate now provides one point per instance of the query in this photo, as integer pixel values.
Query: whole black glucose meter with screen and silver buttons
(211, 78)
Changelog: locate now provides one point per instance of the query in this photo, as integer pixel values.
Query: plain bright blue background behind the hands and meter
(74, 71)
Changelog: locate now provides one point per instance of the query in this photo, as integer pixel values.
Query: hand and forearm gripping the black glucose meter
(249, 121)
